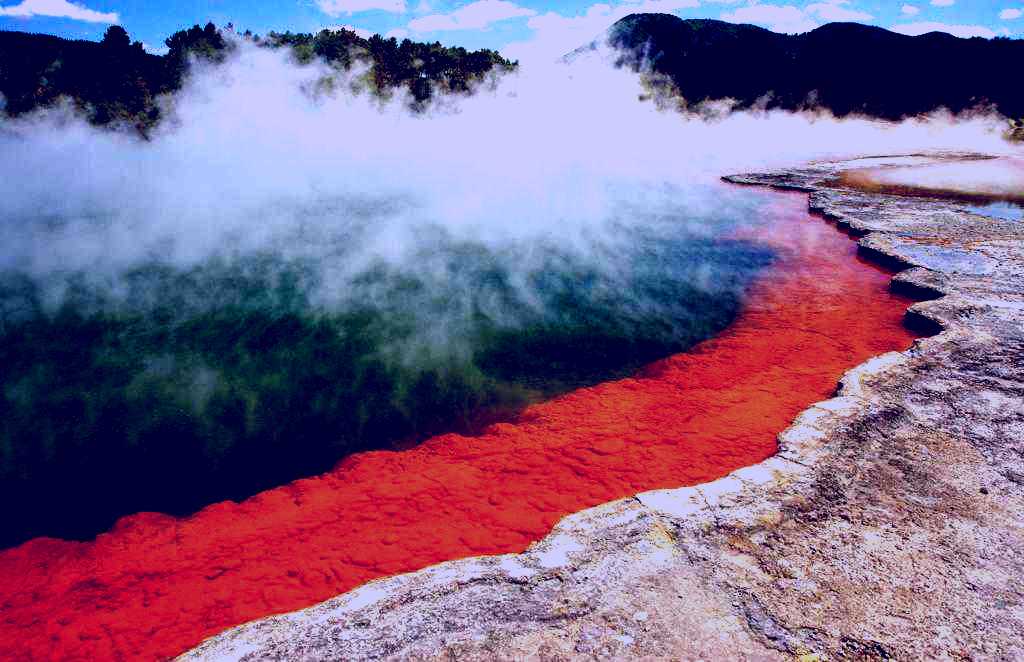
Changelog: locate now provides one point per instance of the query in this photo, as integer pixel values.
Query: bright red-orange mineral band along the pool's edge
(156, 586)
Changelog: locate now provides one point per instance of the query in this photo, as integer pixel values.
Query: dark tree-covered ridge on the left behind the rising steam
(117, 81)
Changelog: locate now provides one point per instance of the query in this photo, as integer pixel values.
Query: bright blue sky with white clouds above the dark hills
(520, 28)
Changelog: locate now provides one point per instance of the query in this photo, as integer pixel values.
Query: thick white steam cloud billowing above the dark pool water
(258, 156)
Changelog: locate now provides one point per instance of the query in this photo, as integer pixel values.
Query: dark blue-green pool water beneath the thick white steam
(168, 387)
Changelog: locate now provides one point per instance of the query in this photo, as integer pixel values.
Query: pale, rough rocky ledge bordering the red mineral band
(890, 524)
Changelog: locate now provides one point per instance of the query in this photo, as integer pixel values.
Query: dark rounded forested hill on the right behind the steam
(846, 68)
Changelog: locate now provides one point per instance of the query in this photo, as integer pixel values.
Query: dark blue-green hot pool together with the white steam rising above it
(291, 270)
